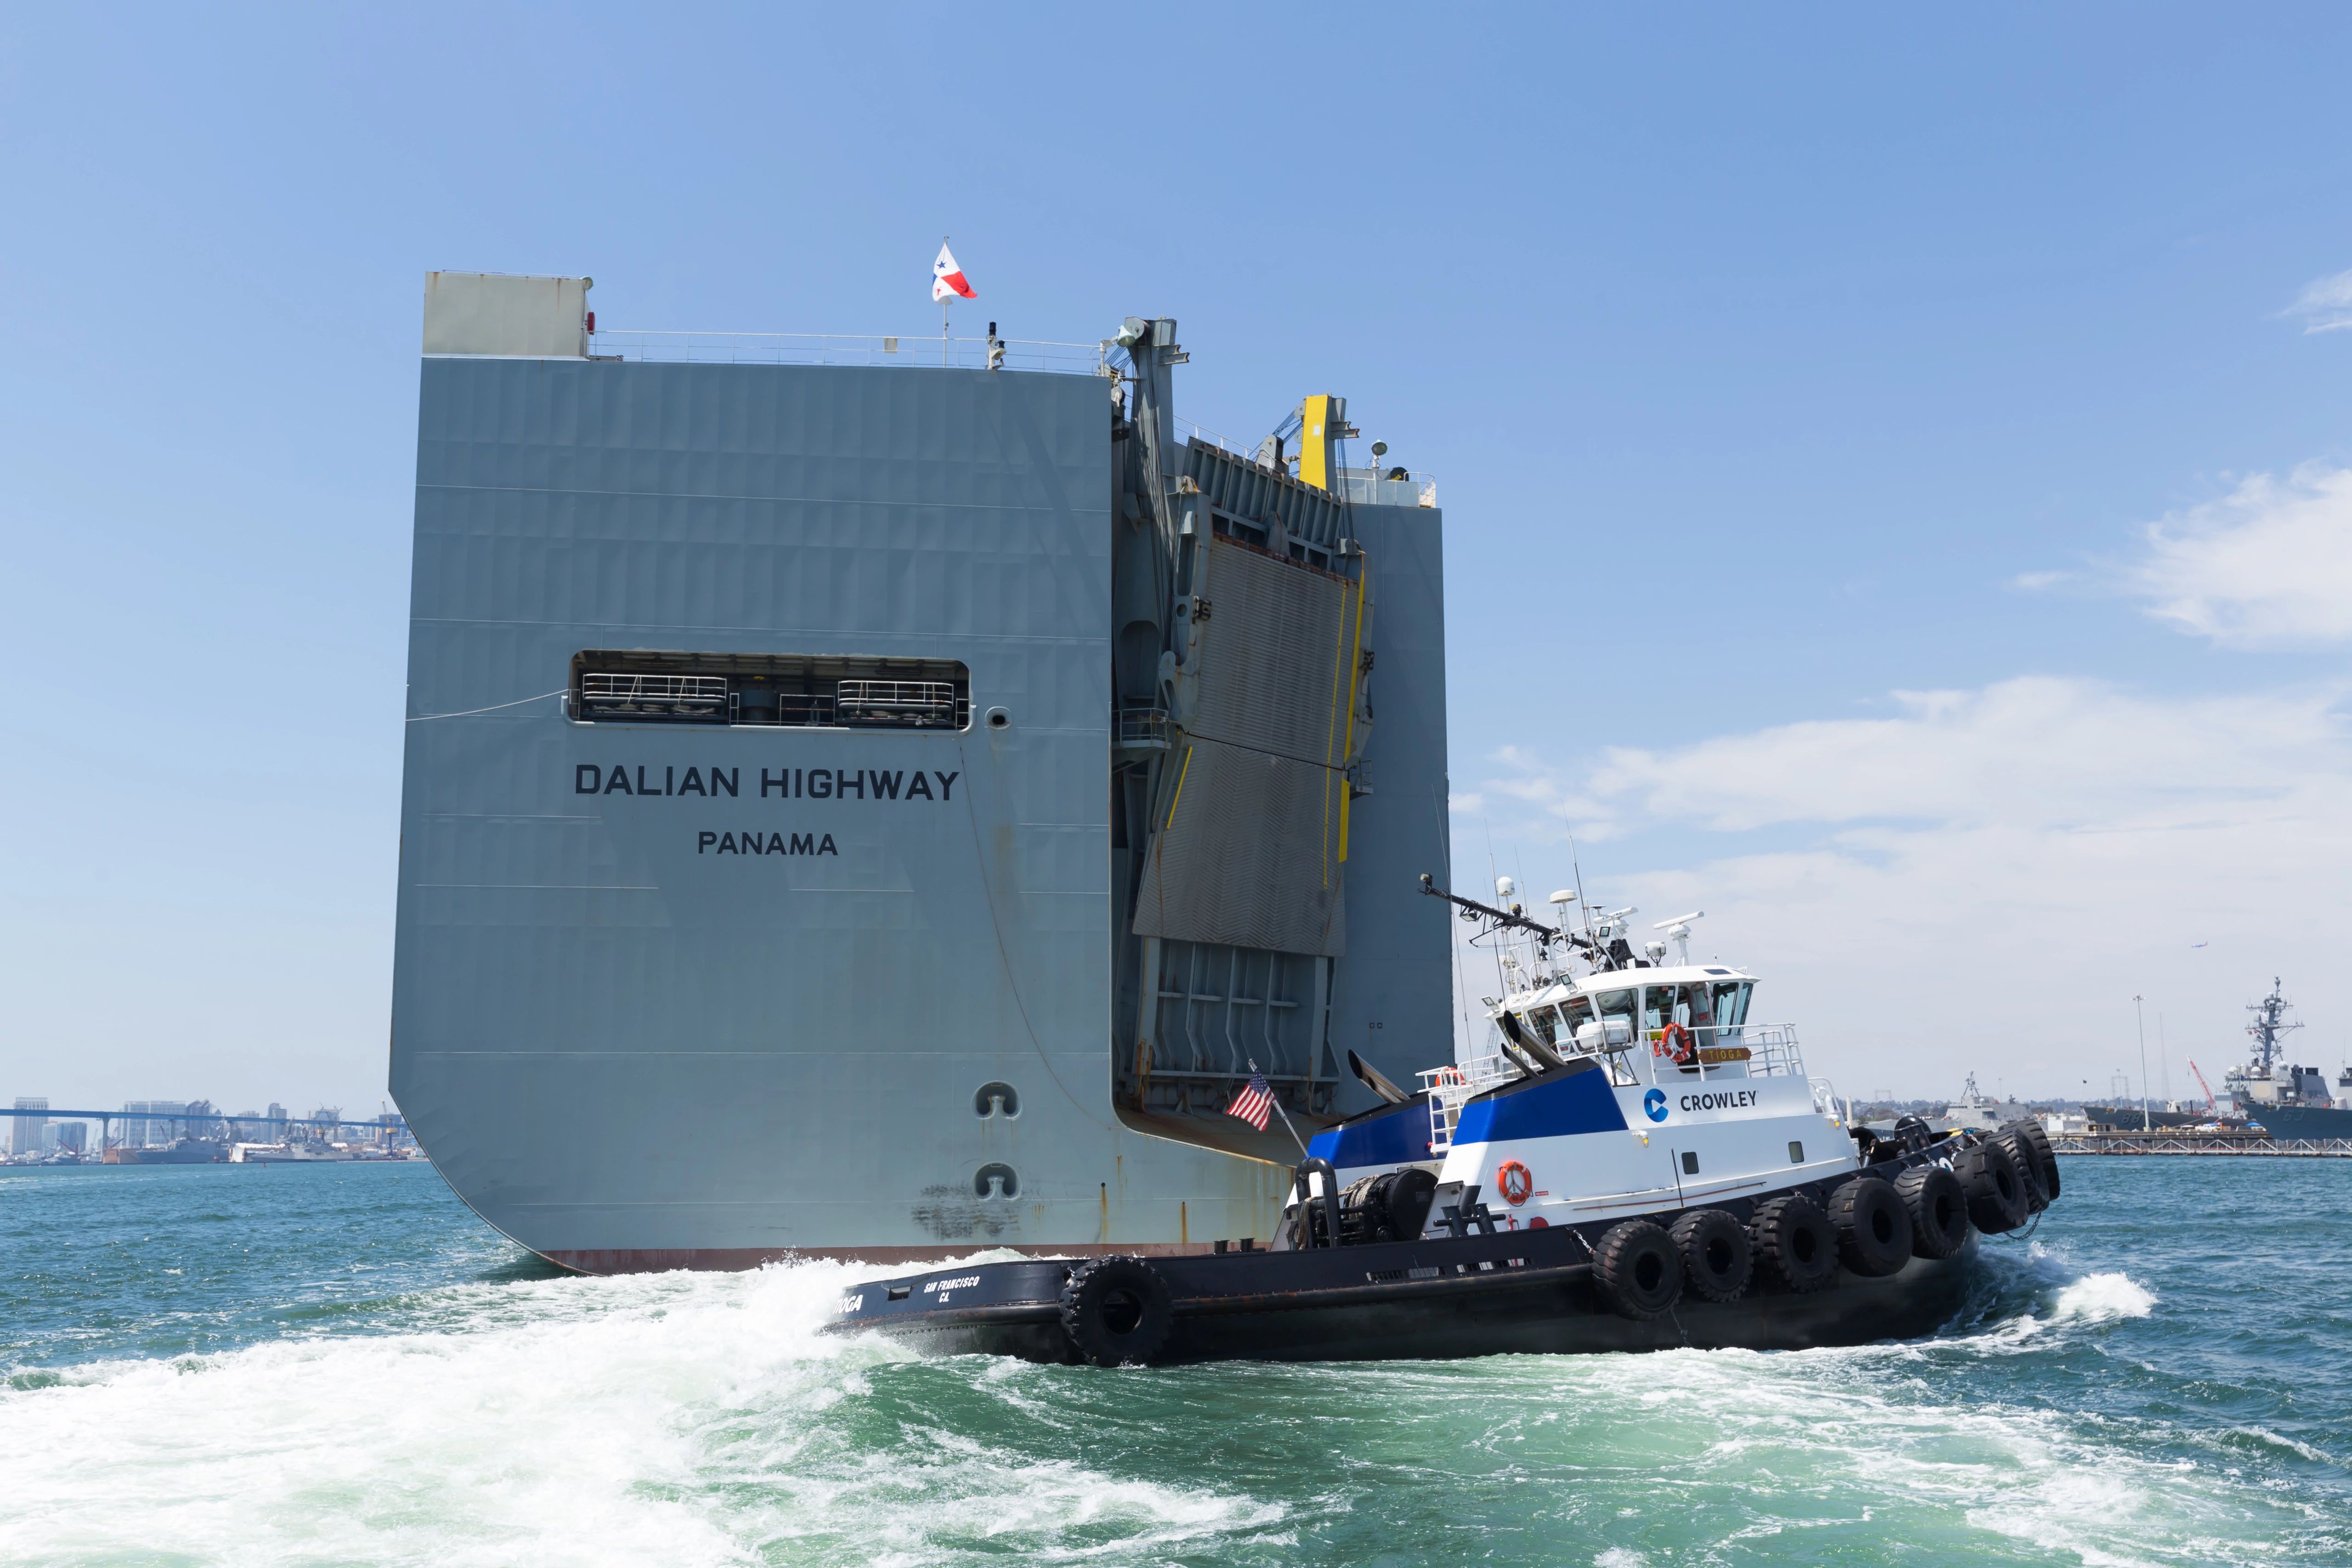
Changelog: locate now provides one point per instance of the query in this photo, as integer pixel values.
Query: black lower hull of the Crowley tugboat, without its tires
(1481, 1296)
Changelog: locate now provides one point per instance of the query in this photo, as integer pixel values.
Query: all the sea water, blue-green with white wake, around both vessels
(243, 1365)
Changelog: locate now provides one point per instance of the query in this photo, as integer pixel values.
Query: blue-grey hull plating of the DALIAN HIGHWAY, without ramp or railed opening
(662, 1000)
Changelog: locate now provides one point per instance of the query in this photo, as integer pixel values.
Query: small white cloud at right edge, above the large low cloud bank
(2269, 565)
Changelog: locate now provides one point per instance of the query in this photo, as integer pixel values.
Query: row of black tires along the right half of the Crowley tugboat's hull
(1871, 1226)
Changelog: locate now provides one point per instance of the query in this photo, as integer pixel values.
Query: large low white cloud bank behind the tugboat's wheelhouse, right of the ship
(1986, 878)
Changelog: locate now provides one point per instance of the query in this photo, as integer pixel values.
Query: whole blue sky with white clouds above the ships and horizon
(1770, 366)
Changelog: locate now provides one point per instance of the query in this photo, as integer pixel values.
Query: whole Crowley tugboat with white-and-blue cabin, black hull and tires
(1638, 1167)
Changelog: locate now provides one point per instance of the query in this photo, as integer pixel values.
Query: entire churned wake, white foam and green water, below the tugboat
(695, 1421)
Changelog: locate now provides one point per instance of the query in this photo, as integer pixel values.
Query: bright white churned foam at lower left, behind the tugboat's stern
(681, 1419)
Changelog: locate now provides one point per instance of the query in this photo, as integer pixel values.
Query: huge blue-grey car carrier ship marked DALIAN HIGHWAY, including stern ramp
(883, 803)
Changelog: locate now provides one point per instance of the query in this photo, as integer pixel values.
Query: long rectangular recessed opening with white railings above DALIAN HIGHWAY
(770, 690)
